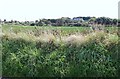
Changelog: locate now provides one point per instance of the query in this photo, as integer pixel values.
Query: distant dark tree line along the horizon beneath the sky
(66, 21)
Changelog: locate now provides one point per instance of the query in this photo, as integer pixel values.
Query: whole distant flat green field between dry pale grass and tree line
(63, 30)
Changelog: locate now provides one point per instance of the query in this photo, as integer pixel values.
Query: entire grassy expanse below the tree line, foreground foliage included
(59, 52)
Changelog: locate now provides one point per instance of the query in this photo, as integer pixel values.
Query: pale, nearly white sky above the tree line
(37, 9)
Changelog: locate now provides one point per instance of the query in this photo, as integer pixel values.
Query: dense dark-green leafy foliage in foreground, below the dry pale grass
(23, 58)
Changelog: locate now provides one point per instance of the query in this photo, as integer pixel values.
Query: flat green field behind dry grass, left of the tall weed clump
(63, 30)
